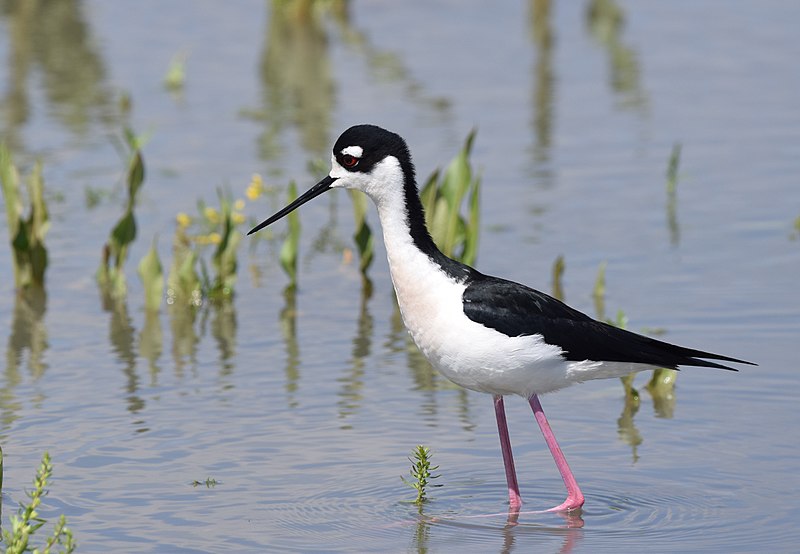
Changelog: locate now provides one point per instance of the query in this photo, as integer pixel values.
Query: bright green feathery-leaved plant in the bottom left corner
(27, 522)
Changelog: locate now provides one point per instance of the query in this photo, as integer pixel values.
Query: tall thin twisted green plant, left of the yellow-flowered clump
(111, 274)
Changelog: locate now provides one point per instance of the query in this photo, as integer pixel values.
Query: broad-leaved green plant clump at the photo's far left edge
(26, 233)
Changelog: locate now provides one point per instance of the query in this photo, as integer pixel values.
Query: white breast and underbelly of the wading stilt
(469, 354)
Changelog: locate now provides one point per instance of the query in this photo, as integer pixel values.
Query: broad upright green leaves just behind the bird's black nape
(454, 234)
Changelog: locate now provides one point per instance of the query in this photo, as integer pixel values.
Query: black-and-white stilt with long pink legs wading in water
(481, 332)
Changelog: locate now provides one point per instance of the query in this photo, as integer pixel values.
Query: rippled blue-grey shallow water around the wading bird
(304, 407)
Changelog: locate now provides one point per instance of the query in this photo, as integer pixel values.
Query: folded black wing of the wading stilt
(516, 310)
